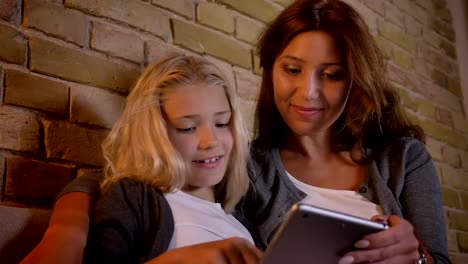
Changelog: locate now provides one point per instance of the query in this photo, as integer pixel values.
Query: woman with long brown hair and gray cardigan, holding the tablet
(328, 125)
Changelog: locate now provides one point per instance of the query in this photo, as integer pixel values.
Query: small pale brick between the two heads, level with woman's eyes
(248, 85)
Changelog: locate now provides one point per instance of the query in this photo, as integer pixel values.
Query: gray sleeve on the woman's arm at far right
(421, 200)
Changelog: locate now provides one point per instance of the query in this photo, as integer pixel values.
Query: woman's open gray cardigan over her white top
(403, 180)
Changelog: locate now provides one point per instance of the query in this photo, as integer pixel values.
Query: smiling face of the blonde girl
(198, 121)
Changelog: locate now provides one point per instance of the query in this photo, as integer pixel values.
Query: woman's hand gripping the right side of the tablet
(398, 244)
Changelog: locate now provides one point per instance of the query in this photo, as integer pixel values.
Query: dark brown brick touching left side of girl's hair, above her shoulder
(70, 142)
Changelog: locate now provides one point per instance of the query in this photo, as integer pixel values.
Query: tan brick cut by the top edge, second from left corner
(55, 20)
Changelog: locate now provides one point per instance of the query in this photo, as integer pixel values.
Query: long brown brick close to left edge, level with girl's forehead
(35, 92)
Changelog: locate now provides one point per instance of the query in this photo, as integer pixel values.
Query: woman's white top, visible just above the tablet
(344, 201)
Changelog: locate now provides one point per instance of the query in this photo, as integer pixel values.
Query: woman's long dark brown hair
(372, 117)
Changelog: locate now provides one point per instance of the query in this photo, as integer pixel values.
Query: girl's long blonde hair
(139, 148)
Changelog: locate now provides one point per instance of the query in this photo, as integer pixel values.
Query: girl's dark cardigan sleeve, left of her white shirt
(130, 224)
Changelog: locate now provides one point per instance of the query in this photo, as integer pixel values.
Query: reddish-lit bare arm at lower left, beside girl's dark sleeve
(65, 238)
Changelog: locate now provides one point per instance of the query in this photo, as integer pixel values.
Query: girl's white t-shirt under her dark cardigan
(198, 221)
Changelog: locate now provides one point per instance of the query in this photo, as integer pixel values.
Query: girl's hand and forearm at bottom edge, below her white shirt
(232, 250)
